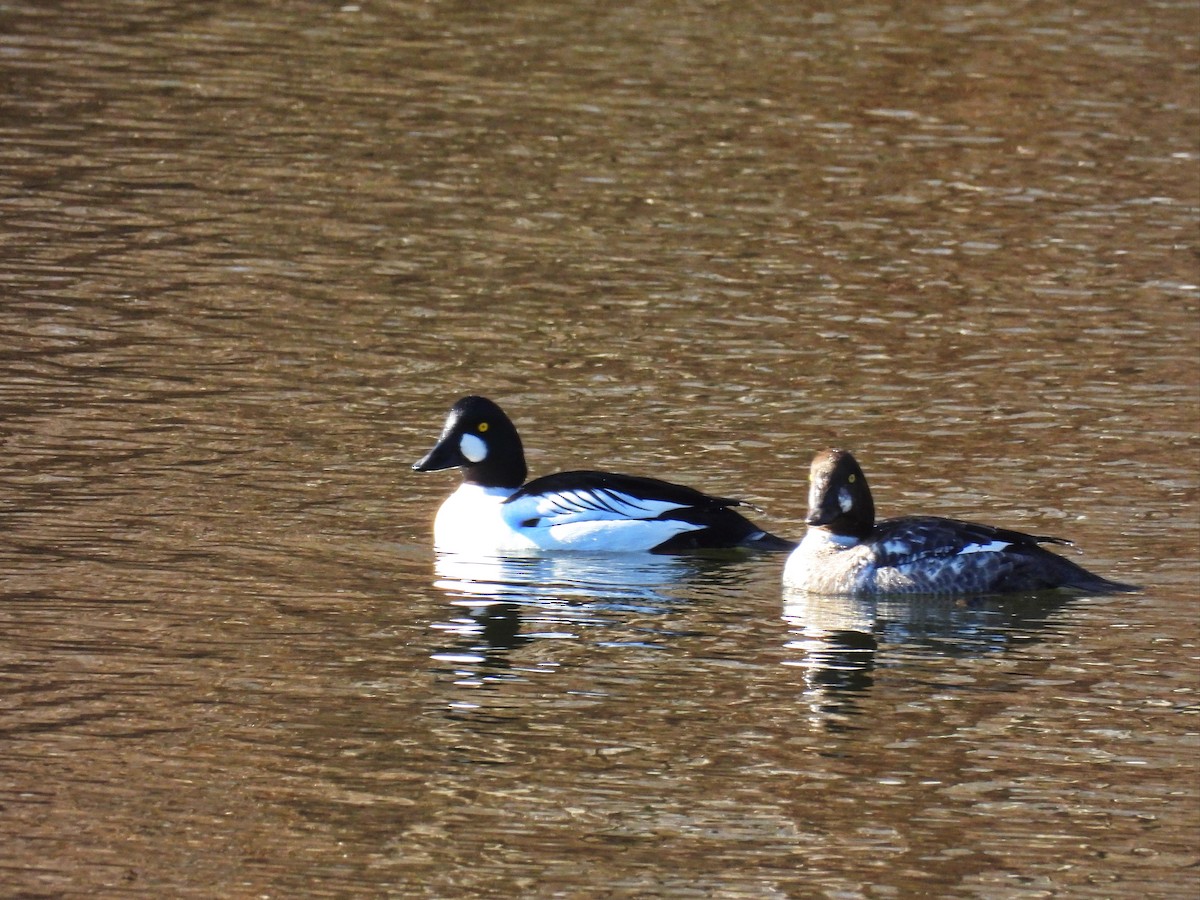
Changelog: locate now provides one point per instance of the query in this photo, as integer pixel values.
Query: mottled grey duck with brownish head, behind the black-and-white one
(845, 551)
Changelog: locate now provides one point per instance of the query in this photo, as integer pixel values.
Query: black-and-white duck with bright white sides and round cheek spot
(496, 512)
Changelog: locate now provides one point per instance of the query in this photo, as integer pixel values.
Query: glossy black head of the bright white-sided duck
(482, 441)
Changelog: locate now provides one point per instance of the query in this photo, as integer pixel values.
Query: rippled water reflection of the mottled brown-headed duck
(838, 641)
